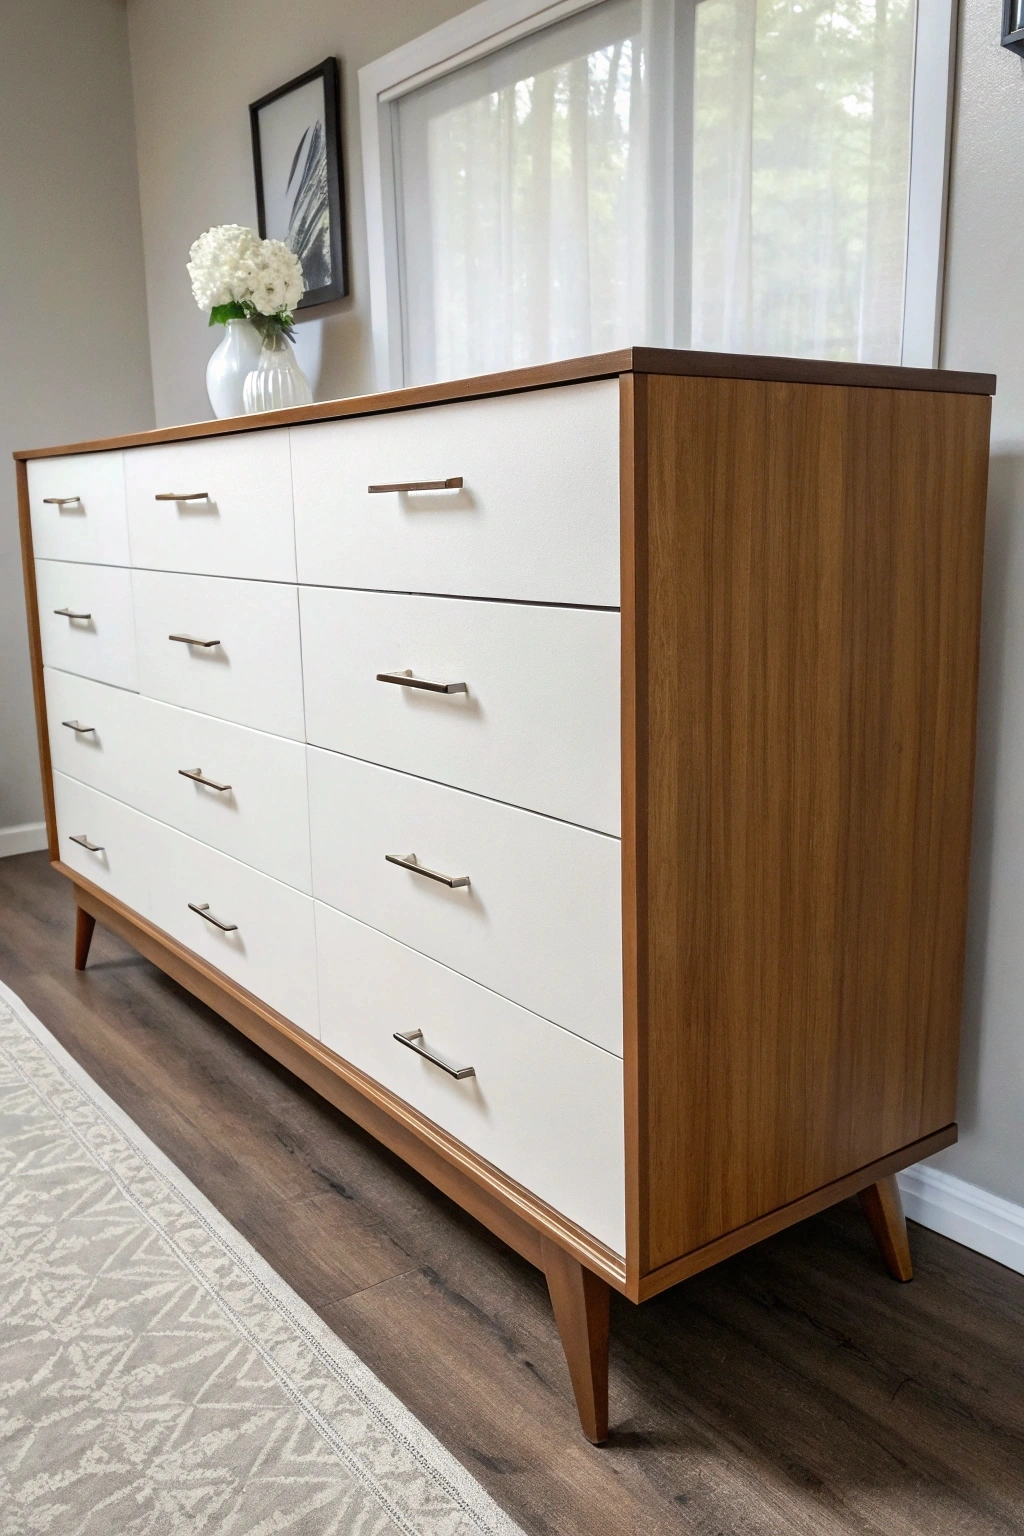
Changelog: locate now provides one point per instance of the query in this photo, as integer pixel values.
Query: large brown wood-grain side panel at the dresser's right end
(814, 580)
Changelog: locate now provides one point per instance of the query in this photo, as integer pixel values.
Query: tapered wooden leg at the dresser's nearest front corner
(581, 1313)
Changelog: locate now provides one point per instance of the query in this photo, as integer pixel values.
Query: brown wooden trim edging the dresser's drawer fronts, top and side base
(512, 1213)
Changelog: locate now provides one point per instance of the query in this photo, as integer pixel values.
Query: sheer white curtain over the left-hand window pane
(523, 191)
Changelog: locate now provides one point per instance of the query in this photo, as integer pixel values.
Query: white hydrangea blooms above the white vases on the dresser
(237, 276)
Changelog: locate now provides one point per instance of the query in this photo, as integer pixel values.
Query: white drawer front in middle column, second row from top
(253, 677)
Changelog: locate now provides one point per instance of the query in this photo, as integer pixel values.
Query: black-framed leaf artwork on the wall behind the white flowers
(297, 164)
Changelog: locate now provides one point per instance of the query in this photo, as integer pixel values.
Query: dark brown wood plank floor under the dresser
(794, 1389)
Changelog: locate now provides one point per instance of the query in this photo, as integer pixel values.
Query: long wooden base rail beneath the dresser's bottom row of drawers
(509, 1210)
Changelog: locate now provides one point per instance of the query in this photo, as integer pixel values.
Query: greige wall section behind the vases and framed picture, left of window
(196, 68)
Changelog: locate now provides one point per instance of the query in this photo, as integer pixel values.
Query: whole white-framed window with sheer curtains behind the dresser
(753, 176)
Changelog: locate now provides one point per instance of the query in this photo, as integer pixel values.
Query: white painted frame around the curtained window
(495, 24)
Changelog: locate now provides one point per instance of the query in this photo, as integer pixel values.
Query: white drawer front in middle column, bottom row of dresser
(271, 950)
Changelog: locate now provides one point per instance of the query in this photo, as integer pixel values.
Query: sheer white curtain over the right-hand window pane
(802, 162)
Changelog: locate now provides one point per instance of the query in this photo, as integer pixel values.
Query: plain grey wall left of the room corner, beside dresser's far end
(76, 353)
